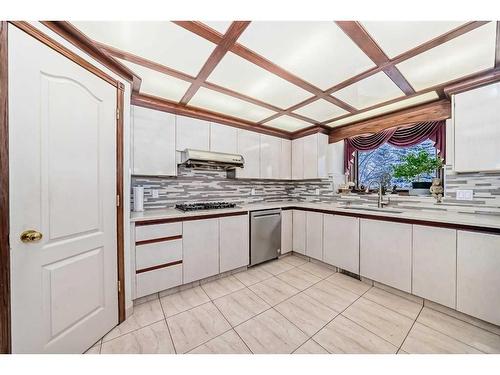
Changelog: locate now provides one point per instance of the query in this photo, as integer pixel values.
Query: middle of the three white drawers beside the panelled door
(156, 253)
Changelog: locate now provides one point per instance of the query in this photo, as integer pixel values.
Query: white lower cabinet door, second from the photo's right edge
(434, 264)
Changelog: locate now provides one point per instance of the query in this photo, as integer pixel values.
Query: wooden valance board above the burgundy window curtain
(435, 111)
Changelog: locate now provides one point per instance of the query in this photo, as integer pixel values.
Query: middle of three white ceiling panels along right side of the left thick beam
(241, 75)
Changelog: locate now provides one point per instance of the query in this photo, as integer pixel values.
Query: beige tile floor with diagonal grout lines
(293, 306)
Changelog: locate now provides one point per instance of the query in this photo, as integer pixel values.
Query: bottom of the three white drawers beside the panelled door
(160, 279)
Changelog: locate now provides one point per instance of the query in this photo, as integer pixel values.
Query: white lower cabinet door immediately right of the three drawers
(200, 240)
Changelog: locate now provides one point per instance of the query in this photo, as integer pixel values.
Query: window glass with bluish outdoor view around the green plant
(374, 164)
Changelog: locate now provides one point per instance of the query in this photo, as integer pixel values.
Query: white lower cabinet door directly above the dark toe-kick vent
(341, 242)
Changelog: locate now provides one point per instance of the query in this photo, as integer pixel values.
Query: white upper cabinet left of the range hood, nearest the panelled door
(153, 142)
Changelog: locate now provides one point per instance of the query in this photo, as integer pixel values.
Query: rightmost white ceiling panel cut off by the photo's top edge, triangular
(396, 37)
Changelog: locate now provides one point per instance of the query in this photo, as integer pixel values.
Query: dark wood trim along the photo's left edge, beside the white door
(5, 306)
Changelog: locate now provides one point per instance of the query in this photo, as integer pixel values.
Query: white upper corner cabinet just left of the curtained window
(309, 157)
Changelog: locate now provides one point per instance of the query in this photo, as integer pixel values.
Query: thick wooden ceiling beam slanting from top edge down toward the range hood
(225, 44)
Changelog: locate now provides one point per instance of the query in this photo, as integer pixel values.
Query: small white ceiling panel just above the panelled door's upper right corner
(158, 84)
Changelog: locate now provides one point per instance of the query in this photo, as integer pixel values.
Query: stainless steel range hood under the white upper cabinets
(211, 160)
